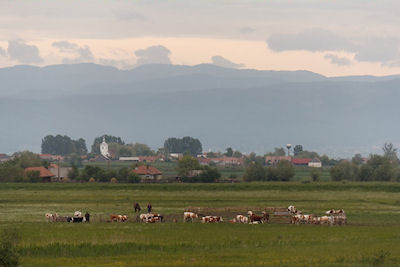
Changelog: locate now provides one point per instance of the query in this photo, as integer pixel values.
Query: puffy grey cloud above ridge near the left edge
(22, 52)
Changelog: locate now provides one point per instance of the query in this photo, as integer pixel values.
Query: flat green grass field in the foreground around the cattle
(371, 238)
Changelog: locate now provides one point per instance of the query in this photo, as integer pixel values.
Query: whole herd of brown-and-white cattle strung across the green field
(332, 217)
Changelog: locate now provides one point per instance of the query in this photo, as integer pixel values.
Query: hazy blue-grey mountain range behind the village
(249, 110)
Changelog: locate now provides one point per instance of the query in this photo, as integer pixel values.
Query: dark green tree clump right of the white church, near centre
(187, 145)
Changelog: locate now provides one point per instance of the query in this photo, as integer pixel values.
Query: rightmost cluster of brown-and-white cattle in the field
(335, 217)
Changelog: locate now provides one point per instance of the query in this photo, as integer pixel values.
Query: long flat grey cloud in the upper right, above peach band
(314, 40)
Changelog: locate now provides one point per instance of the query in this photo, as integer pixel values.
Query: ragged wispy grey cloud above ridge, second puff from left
(79, 54)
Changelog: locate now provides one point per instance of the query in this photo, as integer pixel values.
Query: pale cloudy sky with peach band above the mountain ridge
(330, 37)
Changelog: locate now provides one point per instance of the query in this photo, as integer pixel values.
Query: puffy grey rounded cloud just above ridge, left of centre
(153, 55)
